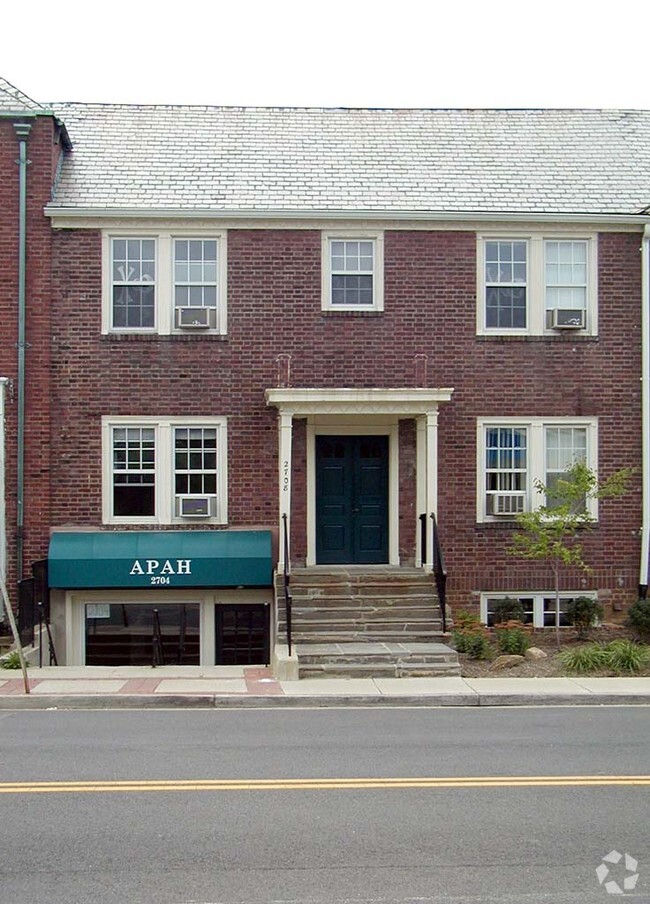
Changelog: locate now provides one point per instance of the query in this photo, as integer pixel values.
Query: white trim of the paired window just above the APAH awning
(165, 496)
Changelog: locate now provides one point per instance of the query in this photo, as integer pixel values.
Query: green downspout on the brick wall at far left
(22, 131)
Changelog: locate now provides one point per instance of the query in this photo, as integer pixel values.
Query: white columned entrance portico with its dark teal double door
(369, 419)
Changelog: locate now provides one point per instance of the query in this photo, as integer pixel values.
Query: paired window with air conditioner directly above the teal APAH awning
(163, 471)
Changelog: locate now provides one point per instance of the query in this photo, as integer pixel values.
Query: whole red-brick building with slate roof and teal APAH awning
(242, 325)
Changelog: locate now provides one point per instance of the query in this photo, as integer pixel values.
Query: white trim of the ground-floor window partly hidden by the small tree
(536, 460)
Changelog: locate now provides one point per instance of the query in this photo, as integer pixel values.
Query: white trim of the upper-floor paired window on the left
(164, 320)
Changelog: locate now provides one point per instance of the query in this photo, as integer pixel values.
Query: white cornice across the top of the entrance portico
(406, 402)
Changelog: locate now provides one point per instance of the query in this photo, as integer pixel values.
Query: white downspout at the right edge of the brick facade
(645, 410)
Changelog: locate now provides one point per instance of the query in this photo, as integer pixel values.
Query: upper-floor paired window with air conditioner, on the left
(164, 284)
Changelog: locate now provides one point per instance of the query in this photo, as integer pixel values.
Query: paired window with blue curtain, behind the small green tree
(515, 456)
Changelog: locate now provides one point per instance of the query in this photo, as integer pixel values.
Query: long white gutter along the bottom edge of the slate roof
(311, 214)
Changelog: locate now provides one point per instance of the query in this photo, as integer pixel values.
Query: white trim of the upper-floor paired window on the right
(536, 282)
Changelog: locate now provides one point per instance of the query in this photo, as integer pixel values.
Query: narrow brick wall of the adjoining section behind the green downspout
(42, 152)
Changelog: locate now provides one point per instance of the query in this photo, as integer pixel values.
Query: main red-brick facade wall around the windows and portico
(274, 308)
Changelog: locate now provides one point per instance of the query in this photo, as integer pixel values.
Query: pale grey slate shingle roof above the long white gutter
(216, 159)
